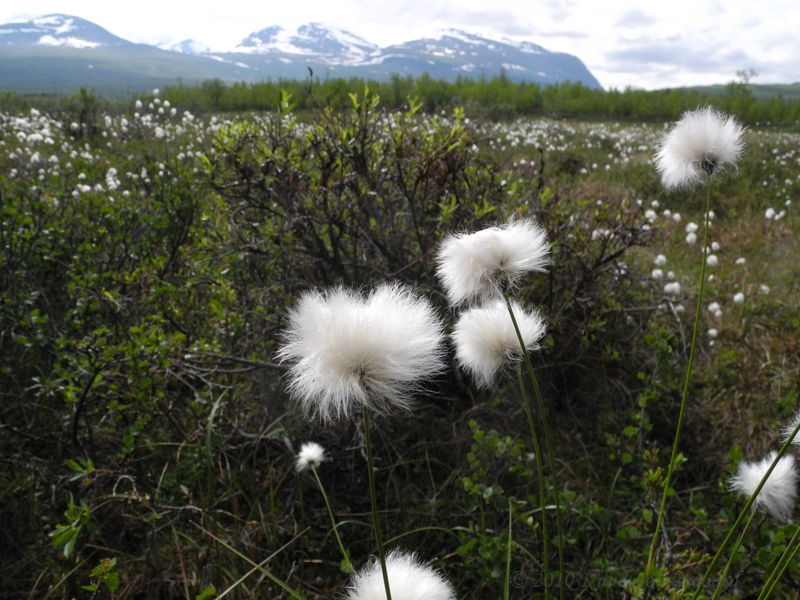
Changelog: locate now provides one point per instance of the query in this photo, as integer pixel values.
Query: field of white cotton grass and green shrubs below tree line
(370, 354)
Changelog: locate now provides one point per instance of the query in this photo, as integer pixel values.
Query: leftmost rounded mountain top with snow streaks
(58, 30)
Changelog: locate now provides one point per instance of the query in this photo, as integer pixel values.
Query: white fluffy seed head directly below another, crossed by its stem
(485, 338)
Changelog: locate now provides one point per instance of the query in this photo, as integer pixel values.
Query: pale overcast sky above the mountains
(624, 43)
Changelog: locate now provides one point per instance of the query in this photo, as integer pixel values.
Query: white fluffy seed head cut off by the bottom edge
(409, 579)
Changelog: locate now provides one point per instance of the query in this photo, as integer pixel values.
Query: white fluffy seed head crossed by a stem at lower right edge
(779, 493)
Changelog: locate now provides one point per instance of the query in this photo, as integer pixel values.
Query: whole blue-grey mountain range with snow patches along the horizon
(57, 52)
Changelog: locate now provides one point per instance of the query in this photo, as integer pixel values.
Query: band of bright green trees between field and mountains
(497, 98)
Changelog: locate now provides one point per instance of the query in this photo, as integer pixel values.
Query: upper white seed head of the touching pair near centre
(477, 265)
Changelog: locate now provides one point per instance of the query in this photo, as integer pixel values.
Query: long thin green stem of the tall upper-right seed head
(651, 557)
